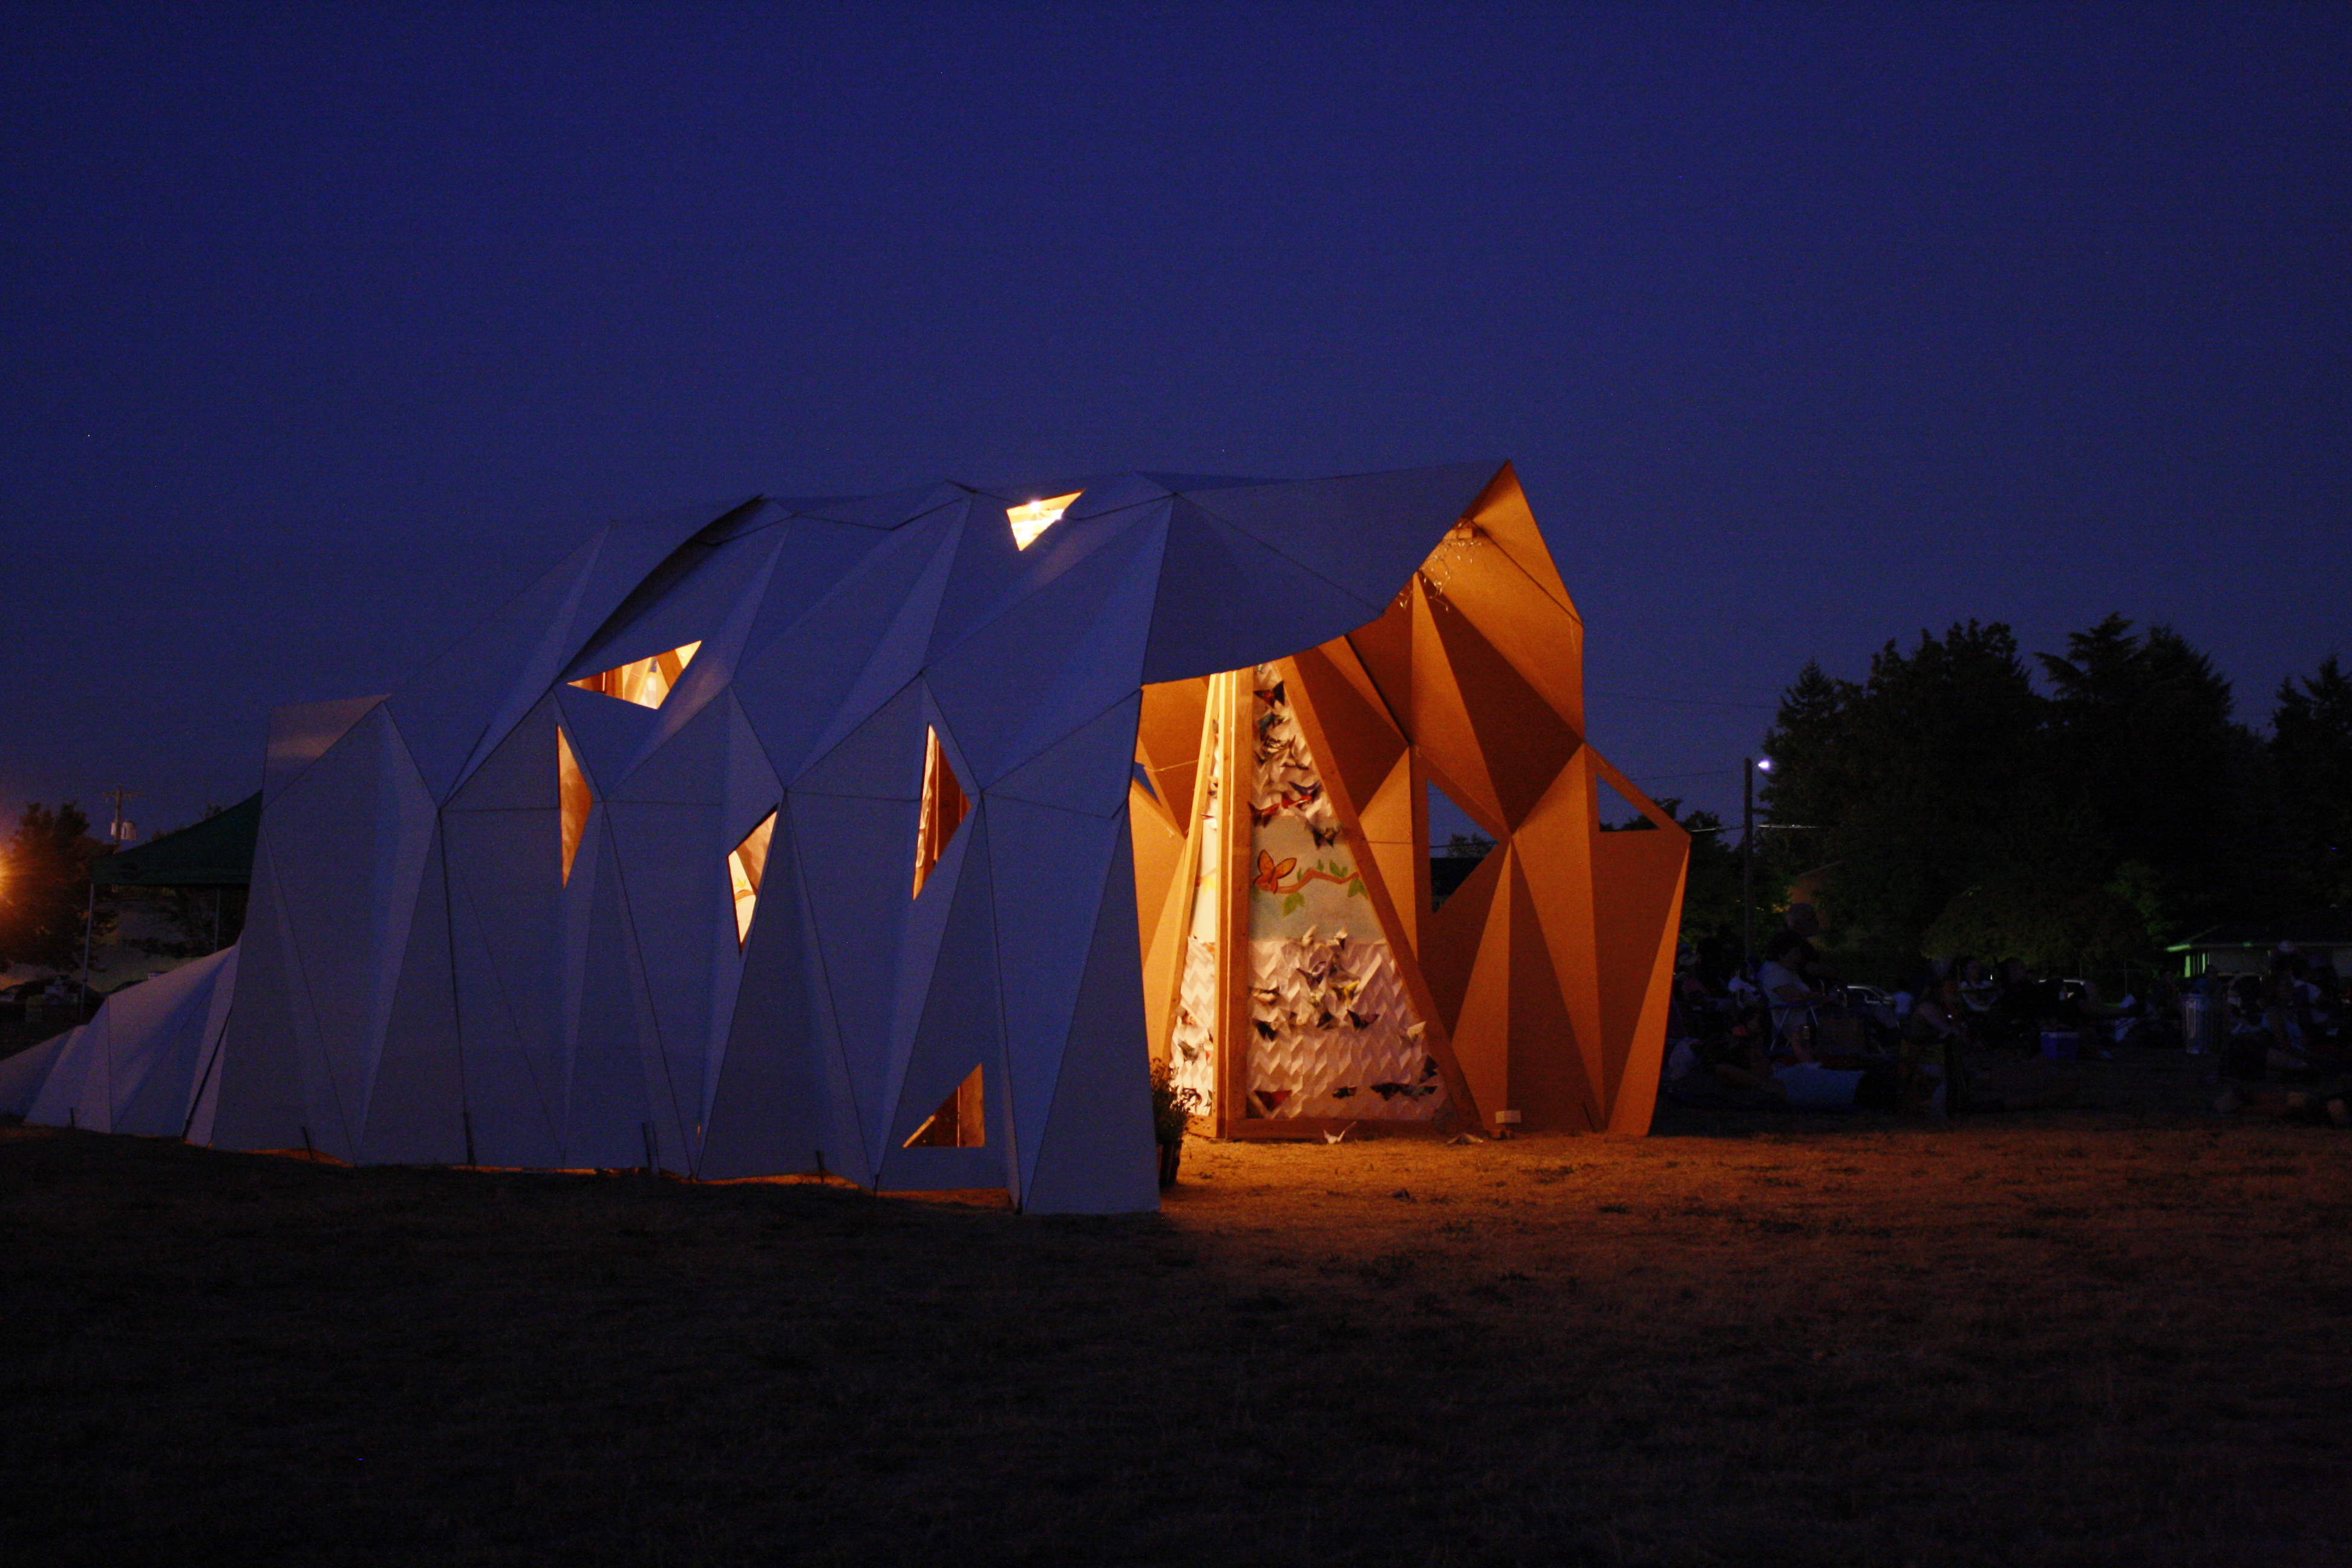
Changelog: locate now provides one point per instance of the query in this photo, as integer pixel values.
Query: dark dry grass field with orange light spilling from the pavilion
(2109, 1336)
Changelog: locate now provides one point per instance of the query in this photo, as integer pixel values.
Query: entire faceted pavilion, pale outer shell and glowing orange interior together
(897, 836)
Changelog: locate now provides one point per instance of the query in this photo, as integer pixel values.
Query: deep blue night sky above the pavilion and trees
(326, 333)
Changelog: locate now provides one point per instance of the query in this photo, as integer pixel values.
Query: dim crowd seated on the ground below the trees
(1977, 1038)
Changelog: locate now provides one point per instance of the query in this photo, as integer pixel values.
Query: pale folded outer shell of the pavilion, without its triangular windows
(422, 981)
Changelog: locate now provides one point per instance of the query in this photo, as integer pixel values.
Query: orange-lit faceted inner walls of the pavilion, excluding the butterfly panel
(1544, 979)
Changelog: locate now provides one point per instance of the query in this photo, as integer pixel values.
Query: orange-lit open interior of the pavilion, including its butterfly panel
(1295, 970)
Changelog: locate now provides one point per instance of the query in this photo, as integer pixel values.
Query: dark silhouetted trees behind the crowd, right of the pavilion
(1951, 803)
